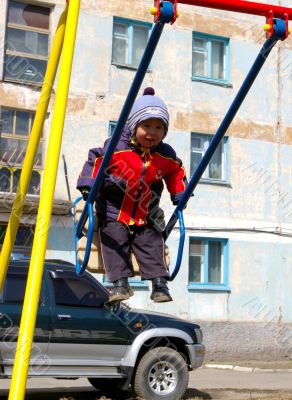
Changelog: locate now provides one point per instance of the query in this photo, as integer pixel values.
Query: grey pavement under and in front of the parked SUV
(221, 380)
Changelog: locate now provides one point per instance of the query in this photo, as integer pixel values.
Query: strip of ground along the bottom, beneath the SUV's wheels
(234, 381)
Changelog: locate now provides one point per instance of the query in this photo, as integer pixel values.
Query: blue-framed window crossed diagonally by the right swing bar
(216, 171)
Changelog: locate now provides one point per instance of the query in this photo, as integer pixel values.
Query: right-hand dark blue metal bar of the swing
(249, 80)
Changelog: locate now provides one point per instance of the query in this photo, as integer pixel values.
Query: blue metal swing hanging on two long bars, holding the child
(86, 239)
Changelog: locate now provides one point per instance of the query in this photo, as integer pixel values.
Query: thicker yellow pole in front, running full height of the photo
(30, 305)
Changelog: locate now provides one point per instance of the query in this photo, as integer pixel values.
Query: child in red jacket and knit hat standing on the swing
(128, 201)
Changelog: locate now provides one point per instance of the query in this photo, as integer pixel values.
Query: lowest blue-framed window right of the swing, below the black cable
(208, 266)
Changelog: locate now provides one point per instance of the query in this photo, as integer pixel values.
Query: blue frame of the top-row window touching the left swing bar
(130, 24)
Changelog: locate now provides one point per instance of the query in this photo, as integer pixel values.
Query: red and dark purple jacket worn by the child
(134, 180)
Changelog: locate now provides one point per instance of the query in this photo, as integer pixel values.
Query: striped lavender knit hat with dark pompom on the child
(148, 106)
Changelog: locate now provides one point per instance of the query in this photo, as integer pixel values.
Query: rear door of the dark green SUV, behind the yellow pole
(10, 314)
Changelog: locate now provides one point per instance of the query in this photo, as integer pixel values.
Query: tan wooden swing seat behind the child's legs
(95, 262)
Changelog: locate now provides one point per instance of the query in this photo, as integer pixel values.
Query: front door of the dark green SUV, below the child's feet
(84, 331)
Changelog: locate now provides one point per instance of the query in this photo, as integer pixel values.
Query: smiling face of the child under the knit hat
(150, 132)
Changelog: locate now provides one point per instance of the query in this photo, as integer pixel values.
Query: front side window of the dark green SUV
(76, 292)
